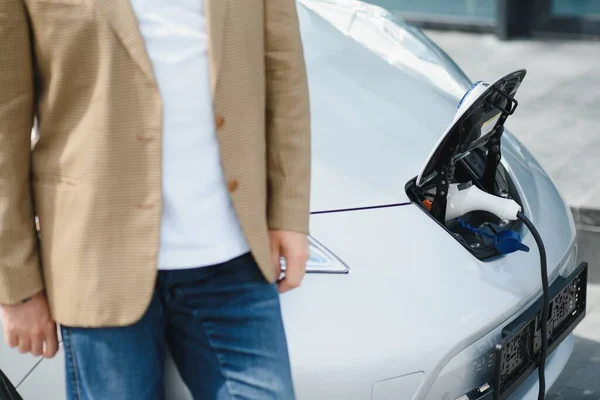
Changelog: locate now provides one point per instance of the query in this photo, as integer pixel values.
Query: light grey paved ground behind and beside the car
(559, 120)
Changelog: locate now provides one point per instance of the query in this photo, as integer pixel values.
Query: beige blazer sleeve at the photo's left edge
(20, 274)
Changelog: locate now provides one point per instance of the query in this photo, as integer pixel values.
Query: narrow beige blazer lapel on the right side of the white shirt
(215, 19)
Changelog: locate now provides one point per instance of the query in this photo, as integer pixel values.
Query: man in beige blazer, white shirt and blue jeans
(171, 174)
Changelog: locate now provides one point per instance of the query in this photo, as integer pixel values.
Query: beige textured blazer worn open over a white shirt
(94, 177)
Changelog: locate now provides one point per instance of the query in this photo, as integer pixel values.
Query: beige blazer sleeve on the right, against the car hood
(287, 118)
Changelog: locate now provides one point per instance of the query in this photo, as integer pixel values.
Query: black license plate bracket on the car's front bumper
(516, 356)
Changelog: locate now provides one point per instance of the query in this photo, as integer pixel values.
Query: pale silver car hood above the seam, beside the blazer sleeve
(373, 122)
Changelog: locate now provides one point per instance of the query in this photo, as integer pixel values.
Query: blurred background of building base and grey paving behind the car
(558, 42)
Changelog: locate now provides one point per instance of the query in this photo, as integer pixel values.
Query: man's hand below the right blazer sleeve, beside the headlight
(293, 246)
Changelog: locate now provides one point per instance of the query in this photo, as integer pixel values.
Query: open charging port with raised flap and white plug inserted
(463, 175)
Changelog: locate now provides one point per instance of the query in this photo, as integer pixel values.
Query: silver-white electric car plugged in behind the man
(400, 303)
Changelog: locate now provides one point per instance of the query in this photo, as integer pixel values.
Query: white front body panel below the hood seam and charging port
(361, 328)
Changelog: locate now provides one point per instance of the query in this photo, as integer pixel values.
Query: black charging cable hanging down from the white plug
(545, 306)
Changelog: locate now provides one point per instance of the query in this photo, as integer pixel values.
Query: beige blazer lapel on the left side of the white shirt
(123, 20)
